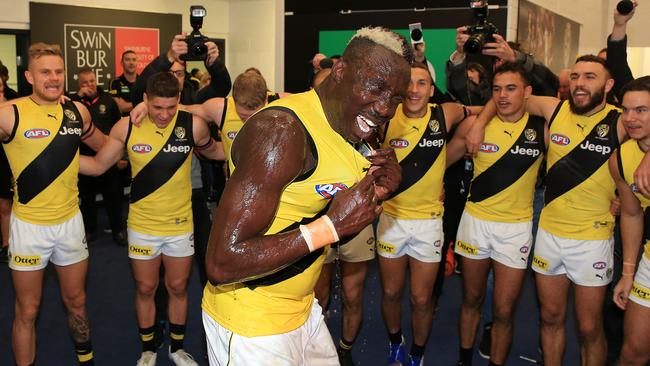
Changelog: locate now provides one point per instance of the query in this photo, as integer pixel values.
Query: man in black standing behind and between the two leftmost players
(105, 113)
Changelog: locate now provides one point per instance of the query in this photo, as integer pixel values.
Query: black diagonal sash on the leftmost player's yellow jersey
(54, 159)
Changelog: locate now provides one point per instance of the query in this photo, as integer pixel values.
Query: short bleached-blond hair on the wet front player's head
(367, 37)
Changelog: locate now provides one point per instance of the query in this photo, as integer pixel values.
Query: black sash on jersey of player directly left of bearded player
(510, 167)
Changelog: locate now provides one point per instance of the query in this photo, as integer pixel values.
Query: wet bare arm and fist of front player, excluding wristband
(276, 153)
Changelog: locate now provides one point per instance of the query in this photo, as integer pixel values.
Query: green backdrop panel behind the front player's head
(440, 43)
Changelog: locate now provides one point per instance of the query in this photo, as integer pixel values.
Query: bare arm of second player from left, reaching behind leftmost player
(109, 154)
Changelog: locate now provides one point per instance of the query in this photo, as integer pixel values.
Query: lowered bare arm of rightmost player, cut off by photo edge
(631, 232)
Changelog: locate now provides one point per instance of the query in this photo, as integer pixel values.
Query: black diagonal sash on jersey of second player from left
(164, 165)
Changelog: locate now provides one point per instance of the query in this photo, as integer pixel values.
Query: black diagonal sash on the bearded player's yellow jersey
(579, 164)
